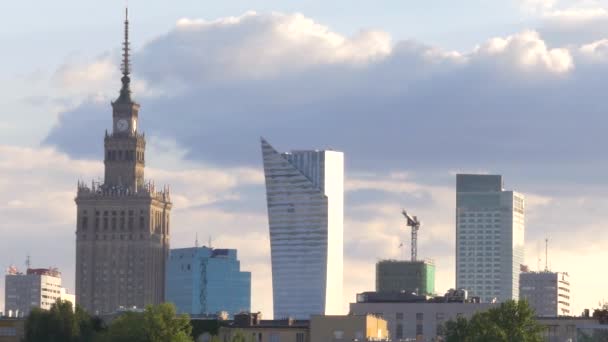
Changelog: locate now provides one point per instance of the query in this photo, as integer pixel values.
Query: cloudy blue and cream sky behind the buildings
(411, 92)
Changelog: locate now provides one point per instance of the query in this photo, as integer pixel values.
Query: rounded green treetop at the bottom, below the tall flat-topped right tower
(510, 322)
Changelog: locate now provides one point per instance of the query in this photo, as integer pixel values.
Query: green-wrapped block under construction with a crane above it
(405, 276)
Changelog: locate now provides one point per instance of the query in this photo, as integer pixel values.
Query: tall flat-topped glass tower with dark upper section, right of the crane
(489, 237)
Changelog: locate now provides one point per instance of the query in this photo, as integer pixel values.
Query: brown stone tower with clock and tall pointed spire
(122, 234)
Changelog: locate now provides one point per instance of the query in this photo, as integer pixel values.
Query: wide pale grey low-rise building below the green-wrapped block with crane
(414, 317)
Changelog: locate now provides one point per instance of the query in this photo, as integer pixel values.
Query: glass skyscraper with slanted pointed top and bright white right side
(305, 196)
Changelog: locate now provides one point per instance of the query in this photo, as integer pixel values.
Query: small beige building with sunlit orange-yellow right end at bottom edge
(348, 328)
